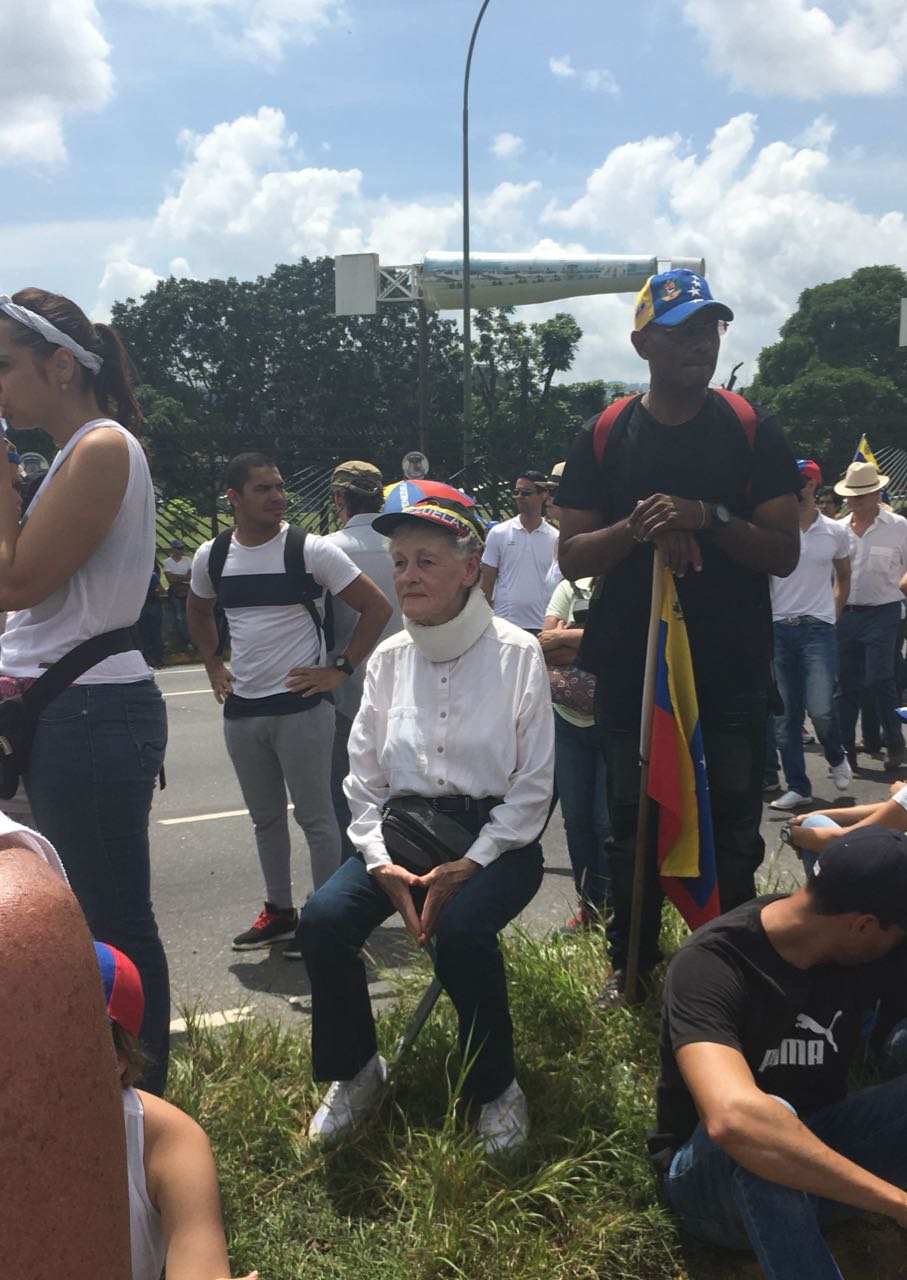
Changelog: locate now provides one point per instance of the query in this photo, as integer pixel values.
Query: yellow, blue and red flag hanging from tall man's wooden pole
(677, 778)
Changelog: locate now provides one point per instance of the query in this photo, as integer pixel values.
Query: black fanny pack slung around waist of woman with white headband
(20, 714)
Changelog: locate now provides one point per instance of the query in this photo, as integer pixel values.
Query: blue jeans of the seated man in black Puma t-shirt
(722, 1203)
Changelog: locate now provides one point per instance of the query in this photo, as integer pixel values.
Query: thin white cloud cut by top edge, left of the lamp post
(258, 29)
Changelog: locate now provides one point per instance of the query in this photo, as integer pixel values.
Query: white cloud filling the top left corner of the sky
(51, 68)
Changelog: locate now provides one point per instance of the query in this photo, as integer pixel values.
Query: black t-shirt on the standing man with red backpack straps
(727, 607)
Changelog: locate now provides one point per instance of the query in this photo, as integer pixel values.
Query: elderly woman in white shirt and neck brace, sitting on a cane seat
(456, 710)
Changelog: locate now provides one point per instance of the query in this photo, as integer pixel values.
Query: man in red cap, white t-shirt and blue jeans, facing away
(805, 609)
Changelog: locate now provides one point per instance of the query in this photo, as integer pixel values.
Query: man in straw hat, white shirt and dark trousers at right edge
(869, 627)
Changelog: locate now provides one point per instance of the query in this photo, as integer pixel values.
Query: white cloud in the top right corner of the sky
(800, 51)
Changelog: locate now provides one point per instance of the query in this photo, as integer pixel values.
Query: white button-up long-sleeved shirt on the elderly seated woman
(478, 726)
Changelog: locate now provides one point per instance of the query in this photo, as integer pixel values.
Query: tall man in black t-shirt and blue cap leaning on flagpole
(680, 472)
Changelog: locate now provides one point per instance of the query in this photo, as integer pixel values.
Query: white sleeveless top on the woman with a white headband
(104, 593)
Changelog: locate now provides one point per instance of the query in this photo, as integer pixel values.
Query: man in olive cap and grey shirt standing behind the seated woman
(358, 490)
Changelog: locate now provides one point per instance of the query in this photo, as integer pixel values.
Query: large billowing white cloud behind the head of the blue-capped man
(758, 214)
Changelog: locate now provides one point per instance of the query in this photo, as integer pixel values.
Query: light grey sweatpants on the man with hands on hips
(274, 755)
